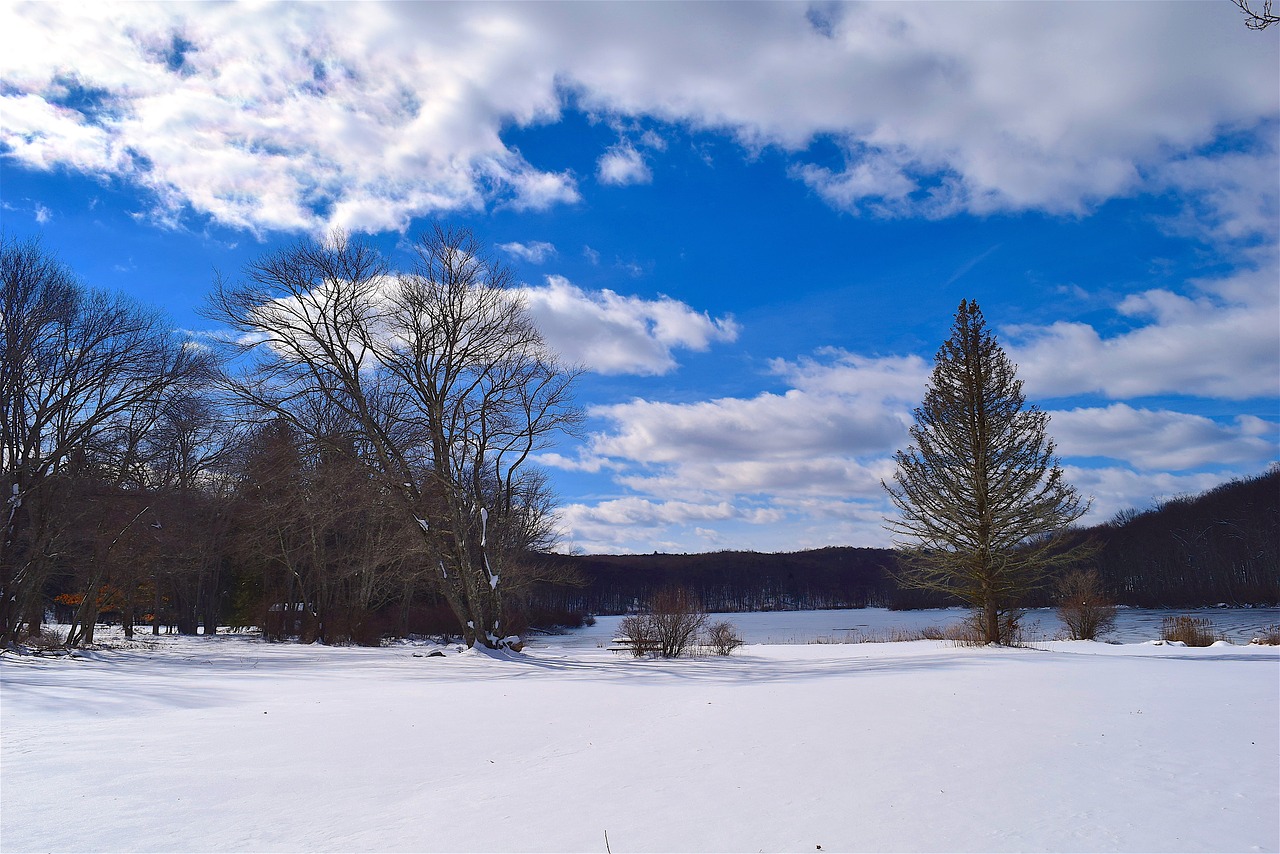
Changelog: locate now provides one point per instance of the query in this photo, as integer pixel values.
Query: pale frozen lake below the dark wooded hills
(1133, 625)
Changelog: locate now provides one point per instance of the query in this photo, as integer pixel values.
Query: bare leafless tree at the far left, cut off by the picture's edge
(76, 367)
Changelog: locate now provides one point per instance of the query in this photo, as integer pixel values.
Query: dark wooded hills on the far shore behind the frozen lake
(1223, 546)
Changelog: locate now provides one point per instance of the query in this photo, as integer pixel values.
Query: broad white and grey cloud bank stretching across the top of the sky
(300, 117)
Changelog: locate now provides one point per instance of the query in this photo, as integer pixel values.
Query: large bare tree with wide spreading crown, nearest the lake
(437, 375)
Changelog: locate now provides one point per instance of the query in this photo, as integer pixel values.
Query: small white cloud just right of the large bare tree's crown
(611, 334)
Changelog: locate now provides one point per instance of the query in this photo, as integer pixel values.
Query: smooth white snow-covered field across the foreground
(231, 745)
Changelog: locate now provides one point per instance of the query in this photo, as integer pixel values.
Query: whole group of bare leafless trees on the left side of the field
(353, 459)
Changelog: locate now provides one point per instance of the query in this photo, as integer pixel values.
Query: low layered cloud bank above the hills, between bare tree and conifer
(803, 467)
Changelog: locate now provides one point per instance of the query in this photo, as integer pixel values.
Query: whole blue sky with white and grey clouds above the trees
(752, 222)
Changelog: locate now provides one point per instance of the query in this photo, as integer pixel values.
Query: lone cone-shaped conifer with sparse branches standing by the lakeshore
(984, 505)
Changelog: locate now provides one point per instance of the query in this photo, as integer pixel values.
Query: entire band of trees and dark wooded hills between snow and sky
(353, 460)
